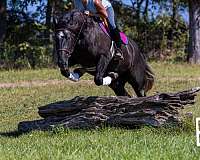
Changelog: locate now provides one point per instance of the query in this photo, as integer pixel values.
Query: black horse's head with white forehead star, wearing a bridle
(67, 31)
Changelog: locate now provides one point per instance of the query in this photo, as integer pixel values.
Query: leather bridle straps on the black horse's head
(66, 50)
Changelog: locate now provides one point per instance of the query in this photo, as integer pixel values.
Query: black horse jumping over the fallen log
(80, 40)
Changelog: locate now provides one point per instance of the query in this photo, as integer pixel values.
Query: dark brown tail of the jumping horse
(149, 78)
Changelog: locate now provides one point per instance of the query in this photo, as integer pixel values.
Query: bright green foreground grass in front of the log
(108, 143)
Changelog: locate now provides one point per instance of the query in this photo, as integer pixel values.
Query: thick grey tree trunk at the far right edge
(194, 32)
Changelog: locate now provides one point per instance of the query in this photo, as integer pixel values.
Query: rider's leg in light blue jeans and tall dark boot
(115, 33)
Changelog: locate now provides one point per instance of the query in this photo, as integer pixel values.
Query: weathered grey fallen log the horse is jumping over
(93, 112)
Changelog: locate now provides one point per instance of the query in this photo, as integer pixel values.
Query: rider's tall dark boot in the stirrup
(118, 42)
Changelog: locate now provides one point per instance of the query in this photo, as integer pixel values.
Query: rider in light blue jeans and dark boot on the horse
(105, 10)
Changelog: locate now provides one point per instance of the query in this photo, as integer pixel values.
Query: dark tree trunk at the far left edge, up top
(2, 20)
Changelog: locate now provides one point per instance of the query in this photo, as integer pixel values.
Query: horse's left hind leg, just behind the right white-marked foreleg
(118, 87)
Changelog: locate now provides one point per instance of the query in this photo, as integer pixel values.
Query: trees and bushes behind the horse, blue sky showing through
(163, 29)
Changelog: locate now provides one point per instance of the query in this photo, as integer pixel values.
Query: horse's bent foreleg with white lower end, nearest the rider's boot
(100, 71)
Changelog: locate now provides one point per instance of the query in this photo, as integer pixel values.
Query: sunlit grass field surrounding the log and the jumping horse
(20, 103)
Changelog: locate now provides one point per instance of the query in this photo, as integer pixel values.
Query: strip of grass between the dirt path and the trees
(163, 71)
